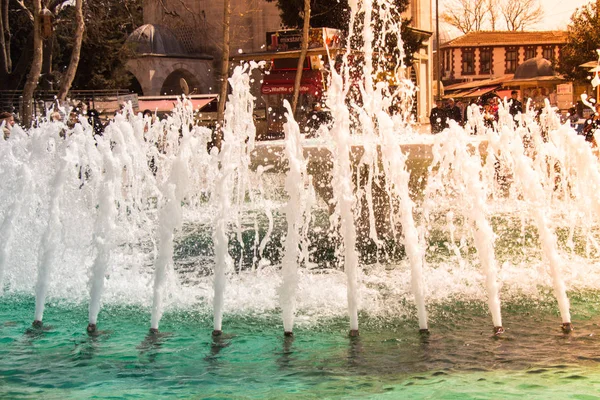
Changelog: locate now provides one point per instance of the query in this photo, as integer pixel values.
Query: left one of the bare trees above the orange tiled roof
(466, 15)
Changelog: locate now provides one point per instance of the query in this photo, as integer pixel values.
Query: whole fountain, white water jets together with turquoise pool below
(415, 239)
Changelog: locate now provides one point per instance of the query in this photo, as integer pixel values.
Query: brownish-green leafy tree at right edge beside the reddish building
(582, 41)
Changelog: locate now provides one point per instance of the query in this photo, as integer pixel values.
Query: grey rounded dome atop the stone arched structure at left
(154, 39)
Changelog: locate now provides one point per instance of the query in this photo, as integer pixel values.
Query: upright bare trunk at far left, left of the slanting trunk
(36, 66)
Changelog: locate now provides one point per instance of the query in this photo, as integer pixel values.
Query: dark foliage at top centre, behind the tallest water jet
(336, 14)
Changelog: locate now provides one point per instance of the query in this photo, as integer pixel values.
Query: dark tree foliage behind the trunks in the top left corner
(103, 57)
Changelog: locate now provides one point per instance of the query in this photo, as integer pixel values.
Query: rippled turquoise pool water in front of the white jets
(390, 360)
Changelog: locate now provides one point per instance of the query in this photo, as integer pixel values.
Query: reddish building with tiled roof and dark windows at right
(479, 64)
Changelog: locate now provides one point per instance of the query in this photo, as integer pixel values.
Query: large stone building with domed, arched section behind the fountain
(178, 49)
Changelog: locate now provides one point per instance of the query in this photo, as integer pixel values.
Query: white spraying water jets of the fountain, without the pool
(81, 211)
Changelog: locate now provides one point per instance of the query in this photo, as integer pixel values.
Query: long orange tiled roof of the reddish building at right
(507, 38)
